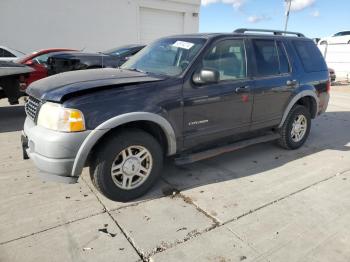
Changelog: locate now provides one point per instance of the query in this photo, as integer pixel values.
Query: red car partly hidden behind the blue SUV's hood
(38, 61)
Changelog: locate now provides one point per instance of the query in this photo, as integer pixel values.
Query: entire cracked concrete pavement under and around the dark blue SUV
(261, 203)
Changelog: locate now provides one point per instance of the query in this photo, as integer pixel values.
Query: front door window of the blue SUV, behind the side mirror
(228, 58)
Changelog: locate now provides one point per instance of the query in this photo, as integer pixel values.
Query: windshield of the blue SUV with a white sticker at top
(169, 56)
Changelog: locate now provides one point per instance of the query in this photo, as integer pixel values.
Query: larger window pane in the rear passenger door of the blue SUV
(266, 57)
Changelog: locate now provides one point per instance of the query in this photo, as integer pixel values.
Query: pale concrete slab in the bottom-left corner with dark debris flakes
(76, 241)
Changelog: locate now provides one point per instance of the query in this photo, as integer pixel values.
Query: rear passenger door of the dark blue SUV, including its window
(274, 82)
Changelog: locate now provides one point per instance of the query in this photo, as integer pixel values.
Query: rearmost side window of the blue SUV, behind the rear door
(310, 56)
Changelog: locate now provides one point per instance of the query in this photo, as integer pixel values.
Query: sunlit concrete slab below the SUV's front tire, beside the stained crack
(174, 220)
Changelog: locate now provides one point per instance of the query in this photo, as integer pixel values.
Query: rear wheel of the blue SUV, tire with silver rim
(296, 139)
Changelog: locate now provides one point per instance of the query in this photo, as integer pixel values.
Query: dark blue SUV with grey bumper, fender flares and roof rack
(187, 96)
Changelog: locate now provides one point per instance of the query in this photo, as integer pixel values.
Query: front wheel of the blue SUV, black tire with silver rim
(133, 176)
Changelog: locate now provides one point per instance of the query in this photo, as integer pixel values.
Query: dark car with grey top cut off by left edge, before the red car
(11, 75)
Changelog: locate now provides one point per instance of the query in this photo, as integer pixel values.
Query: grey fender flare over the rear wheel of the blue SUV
(306, 98)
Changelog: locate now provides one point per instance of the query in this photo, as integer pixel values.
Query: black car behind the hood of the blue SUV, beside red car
(70, 61)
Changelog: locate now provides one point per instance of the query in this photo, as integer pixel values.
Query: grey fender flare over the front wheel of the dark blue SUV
(136, 119)
